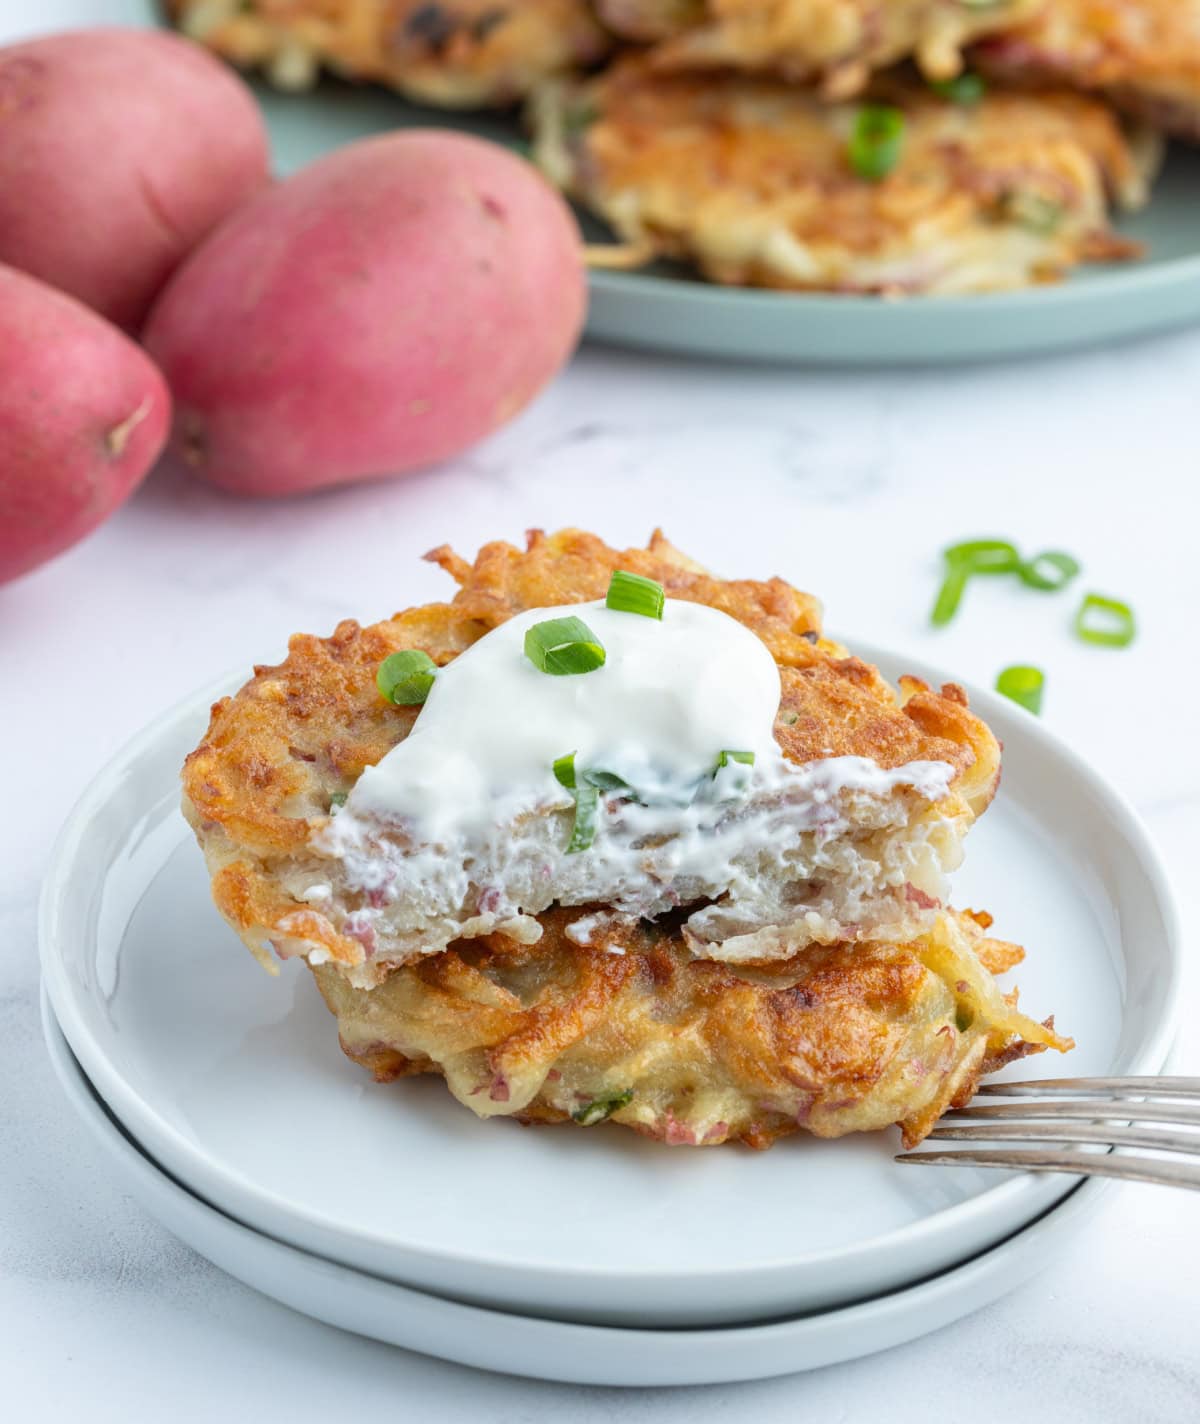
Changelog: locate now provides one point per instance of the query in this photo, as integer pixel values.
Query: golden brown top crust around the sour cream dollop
(301, 733)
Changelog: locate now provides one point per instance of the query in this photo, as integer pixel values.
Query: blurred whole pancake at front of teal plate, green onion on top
(751, 180)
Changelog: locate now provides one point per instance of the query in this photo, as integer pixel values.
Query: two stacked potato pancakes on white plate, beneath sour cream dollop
(828, 986)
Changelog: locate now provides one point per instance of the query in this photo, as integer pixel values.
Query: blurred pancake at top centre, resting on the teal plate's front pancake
(838, 43)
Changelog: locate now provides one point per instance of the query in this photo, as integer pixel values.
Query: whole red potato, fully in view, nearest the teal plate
(382, 311)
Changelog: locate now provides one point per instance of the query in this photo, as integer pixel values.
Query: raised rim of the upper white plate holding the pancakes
(135, 1111)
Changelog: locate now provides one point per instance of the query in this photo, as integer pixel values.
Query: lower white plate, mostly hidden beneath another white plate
(553, 1351)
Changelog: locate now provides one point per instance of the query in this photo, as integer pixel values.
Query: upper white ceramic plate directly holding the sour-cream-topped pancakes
(236, 1084)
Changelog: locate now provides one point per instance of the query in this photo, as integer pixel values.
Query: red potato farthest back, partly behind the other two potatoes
(119, 152)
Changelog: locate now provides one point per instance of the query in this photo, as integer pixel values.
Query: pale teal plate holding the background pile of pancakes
(667, 308)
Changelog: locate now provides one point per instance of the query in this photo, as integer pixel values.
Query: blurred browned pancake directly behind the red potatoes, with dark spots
(455, 53)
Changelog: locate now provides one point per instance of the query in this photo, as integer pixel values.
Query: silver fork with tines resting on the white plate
(1078, 1113)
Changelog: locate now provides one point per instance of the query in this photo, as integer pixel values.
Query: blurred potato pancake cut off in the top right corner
(1142, 55)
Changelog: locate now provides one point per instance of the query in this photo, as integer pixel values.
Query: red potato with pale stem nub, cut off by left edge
(83, 418)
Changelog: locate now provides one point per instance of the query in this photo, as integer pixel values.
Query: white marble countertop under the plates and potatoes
(843, 483)
